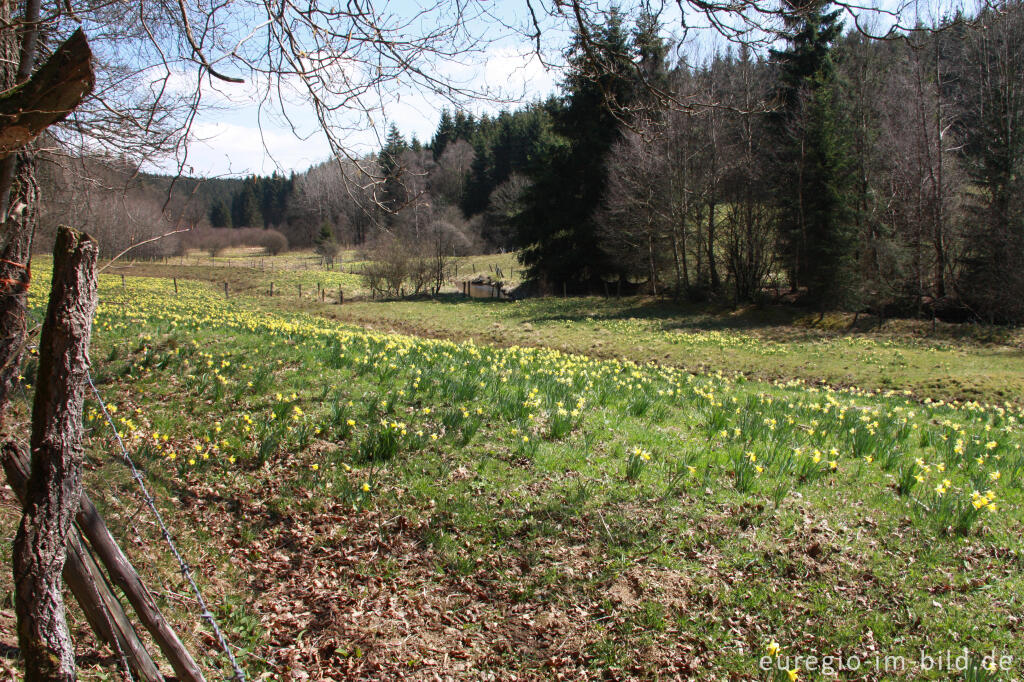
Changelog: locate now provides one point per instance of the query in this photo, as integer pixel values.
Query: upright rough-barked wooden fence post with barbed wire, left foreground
(55, 490)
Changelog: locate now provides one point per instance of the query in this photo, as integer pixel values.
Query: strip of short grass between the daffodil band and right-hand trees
(957, 363)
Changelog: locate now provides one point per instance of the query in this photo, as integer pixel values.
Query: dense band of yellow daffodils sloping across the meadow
(954, 465)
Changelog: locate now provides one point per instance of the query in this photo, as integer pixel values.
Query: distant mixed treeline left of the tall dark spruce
(461, 190)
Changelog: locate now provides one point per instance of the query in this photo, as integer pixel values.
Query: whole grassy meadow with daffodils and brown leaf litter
(560, 489)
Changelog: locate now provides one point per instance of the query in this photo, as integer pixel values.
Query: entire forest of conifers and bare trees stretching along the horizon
(834, 169)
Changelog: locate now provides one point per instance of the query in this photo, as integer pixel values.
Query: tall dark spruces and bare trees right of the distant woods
(847, 173)
